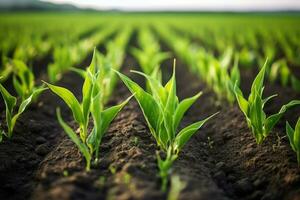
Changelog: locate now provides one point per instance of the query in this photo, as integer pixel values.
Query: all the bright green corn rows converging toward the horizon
(160, 105)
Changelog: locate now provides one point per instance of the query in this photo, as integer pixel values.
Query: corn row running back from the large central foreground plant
(160, 104)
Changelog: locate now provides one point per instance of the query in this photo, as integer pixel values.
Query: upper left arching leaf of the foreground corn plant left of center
(70, 100)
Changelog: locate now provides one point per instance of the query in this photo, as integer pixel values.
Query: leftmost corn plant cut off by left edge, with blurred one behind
(24, 85)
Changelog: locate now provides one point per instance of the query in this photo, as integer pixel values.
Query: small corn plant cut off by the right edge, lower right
(294, 138)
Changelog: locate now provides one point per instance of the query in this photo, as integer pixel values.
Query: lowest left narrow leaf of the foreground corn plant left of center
(72, 135)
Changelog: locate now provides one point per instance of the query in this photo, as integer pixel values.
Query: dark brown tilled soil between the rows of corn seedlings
(222, 161)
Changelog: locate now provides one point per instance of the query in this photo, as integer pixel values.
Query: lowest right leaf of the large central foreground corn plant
(185, 134)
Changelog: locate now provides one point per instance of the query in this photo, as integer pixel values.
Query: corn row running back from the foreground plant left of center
(99, 83)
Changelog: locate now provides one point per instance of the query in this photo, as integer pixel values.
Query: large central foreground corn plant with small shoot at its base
(163, 113)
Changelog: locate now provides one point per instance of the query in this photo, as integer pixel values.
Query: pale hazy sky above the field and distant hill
(186, 4)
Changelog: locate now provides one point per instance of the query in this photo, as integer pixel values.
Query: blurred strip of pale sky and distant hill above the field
(154, 5)
